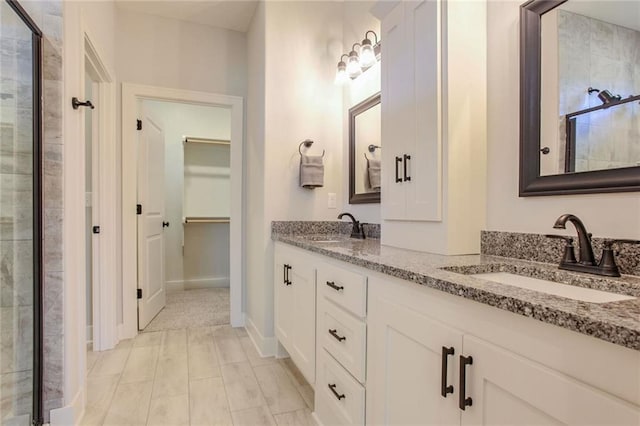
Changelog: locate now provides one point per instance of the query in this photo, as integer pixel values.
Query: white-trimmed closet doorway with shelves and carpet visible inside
(201, 217)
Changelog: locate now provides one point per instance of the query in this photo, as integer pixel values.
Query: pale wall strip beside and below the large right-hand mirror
(607, 215)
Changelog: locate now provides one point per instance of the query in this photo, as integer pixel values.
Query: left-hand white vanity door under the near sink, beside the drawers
(404, 367)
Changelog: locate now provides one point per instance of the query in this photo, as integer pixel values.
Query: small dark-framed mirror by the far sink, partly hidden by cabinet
(365, 151)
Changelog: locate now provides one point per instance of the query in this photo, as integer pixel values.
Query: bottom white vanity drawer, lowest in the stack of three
(339, 398)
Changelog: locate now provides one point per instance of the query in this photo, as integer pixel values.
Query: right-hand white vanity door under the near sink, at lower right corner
(507, 389)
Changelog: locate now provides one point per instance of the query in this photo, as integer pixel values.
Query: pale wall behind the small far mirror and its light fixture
(357, 20)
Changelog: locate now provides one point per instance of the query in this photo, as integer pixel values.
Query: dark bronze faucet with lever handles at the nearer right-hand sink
(607, 264)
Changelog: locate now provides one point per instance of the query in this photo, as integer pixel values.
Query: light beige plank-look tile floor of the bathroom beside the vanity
(196, 376)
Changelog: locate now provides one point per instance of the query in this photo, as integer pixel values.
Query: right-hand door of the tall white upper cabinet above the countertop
(422, 40)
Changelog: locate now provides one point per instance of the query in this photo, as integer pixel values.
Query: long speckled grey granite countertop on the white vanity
(616, 322)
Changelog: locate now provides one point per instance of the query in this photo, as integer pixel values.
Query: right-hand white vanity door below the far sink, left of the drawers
(303, 307)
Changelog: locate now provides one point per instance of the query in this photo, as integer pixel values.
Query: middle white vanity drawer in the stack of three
(343, 336)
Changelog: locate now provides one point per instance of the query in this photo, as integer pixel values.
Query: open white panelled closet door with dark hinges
(150, 239)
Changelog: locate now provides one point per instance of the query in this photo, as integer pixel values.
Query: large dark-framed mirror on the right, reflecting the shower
(579, 108)
